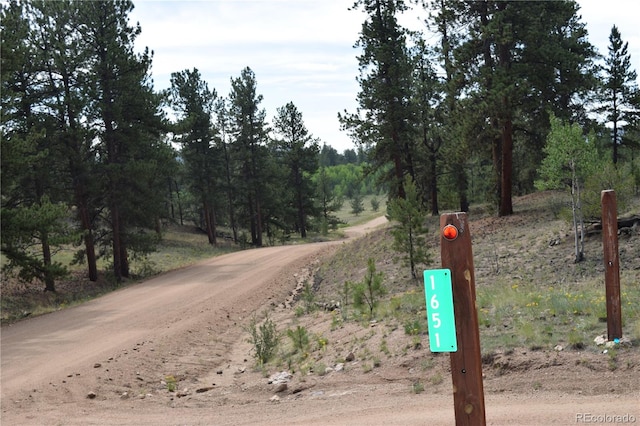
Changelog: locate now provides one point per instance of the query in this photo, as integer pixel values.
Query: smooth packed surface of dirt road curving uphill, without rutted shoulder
(39, 350)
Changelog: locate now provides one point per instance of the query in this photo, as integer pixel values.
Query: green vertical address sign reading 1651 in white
(440, 315)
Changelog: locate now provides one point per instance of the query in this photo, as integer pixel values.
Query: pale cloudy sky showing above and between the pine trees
(301, 51)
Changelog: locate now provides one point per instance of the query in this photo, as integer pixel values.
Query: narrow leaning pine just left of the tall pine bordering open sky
(66, 72)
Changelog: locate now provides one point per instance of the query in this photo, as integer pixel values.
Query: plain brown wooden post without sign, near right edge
(611, 264)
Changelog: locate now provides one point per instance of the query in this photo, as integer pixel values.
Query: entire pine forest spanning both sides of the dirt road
(91, 156)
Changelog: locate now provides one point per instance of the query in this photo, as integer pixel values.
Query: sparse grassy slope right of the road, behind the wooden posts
(530, 294)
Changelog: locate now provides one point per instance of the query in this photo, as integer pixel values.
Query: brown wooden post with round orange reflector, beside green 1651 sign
(466, 363)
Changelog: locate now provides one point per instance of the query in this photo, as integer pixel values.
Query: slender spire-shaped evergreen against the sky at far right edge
(620, 94)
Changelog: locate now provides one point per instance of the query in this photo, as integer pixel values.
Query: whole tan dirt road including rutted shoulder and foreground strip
(107, 361)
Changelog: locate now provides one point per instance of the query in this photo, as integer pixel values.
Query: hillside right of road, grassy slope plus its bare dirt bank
(539, 311)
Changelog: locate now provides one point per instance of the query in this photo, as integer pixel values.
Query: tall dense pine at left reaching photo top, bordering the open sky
(126, 113)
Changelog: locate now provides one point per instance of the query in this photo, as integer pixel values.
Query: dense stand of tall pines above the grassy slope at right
(469, 112)
